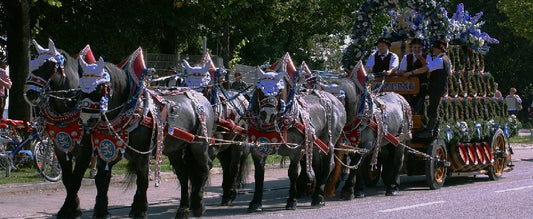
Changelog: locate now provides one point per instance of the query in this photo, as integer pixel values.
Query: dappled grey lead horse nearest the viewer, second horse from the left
(109, 97)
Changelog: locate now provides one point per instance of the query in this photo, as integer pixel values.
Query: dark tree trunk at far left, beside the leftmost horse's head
(18, 32)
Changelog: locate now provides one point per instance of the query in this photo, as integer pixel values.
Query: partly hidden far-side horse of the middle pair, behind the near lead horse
(229, 107)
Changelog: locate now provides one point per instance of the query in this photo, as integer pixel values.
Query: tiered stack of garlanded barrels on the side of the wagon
(470, 114)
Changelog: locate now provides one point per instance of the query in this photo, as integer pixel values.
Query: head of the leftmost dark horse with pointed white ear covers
(48, 64)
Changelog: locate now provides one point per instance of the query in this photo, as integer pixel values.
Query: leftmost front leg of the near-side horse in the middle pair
(257, 202)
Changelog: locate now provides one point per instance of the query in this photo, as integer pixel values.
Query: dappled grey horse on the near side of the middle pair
(288, 123)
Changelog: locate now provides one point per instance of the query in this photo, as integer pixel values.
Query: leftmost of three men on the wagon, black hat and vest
(383, 60)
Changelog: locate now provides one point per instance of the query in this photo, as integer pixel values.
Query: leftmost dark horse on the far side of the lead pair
(53, 75)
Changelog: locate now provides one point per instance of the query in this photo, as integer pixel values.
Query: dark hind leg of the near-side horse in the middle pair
(324, 166)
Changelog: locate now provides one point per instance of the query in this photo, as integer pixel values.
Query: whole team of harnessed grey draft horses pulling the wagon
(94, 108)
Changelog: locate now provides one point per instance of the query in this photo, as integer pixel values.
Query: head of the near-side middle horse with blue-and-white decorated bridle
(271, 95)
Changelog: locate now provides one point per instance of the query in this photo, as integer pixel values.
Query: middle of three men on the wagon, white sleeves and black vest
(416, 59)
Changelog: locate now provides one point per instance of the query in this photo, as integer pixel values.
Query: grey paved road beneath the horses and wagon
(509, 197)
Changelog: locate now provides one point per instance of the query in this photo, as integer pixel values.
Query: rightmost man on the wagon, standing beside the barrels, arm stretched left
(439, 70)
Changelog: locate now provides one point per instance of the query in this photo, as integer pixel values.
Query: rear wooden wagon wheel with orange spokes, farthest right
(497, 146)
